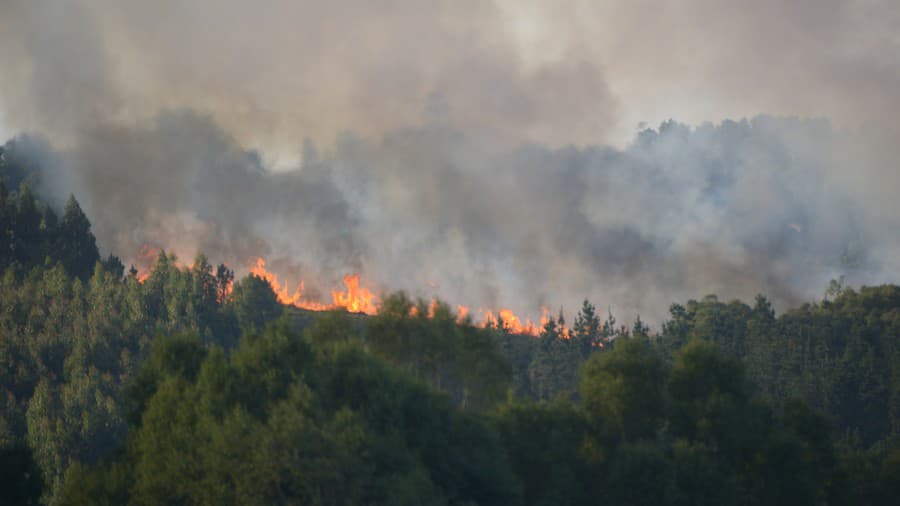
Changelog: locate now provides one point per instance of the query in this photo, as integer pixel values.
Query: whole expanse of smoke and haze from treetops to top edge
(454, 178)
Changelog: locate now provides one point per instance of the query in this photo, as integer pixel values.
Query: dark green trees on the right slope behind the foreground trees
(841, 356)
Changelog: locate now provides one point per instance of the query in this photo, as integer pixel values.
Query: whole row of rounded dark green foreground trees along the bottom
(287, 419)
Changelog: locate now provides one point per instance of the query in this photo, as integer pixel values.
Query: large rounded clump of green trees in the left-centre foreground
(282, 422)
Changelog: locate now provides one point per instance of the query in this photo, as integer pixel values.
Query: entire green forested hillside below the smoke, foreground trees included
(191, 387)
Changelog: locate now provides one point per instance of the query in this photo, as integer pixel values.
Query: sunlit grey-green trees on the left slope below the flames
(68, 346)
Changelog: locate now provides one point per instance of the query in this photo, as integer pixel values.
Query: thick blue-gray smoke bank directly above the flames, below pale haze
(771, 205)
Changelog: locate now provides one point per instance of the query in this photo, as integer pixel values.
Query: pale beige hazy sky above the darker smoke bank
(556, 71)
